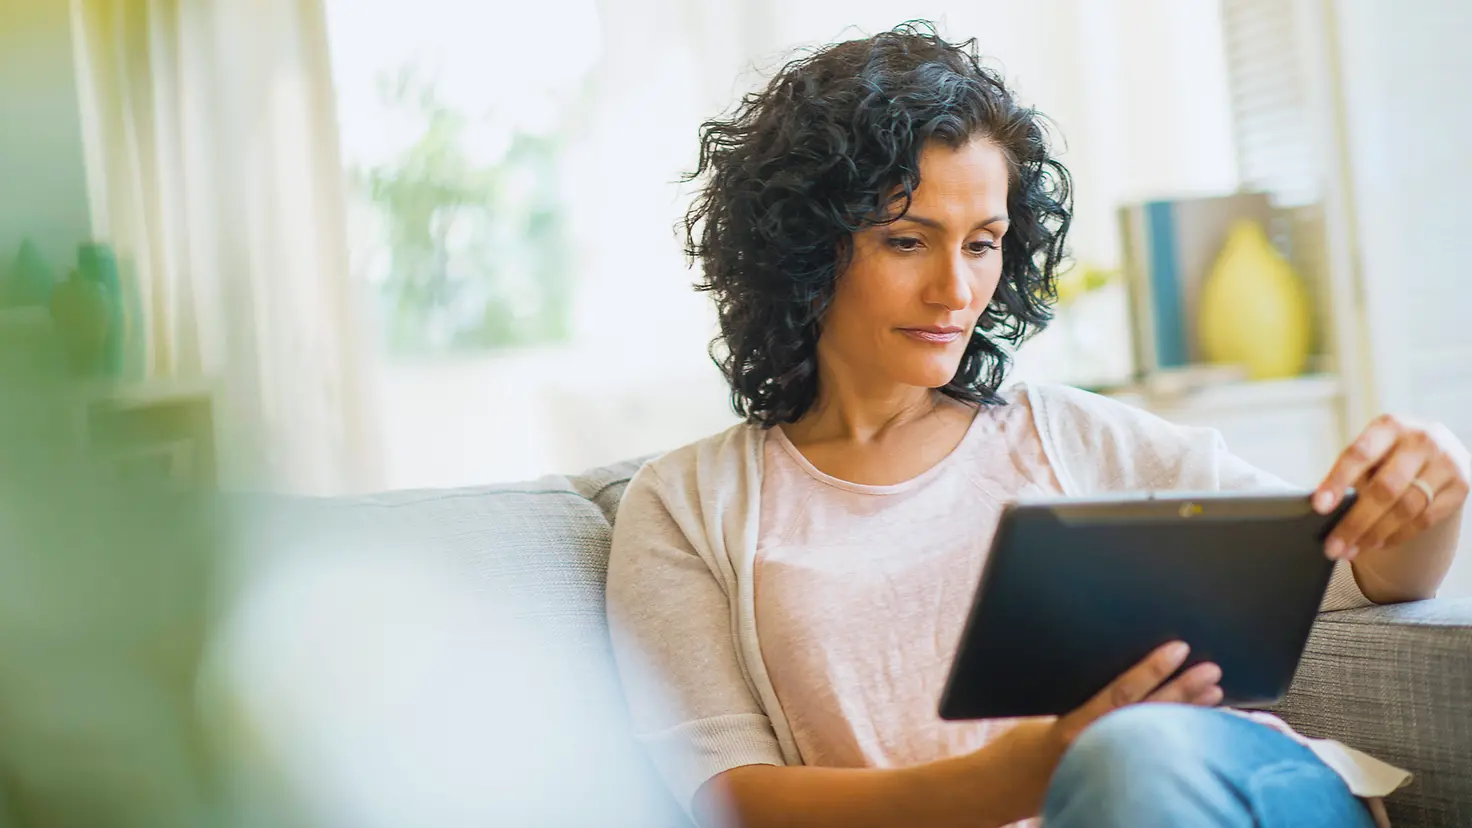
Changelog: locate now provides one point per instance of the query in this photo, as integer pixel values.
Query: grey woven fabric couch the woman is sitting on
(1395, 681)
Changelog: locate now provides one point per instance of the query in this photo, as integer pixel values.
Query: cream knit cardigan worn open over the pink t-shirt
(681, 597)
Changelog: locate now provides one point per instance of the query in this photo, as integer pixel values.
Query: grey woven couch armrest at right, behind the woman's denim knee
(1396, 683)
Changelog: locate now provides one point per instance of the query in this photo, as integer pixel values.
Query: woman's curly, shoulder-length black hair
(829, 148)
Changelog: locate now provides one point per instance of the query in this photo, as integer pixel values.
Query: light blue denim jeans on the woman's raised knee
(1165, 765)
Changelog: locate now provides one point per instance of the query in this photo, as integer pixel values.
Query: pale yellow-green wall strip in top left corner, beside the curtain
(43, 180)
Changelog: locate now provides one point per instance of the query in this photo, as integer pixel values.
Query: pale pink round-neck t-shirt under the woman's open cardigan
(862, 592)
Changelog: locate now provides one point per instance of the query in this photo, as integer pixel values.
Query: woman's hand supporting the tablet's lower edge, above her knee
(1034, 749)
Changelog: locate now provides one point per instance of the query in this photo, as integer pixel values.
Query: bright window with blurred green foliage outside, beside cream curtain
(453, 126)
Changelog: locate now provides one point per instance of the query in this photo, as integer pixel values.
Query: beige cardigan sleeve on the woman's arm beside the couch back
(673, 636)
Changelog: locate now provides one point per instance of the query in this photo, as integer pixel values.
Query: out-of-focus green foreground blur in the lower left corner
(105, 594)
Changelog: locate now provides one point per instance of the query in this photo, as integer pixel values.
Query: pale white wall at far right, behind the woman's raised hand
(1404, 73)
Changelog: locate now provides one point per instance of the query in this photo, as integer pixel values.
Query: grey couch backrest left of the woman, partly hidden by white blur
(538, 553)
